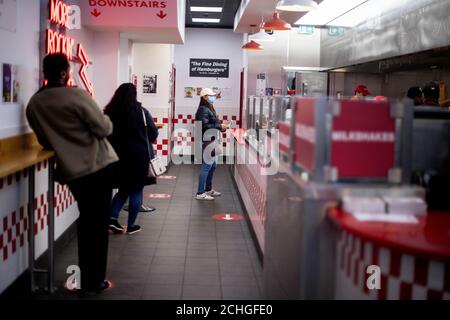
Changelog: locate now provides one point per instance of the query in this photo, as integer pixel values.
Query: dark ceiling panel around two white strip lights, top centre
(227, 16)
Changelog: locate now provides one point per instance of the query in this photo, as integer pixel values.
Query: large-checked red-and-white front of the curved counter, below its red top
(403, 276)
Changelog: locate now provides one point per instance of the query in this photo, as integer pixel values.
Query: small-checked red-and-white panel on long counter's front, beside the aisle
(255, 192)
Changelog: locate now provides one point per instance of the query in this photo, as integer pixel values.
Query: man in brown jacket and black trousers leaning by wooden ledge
(69, 122)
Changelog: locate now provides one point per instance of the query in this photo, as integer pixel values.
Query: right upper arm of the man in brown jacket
(98, 123)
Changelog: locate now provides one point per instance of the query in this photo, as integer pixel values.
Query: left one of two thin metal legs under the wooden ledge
(31, 187)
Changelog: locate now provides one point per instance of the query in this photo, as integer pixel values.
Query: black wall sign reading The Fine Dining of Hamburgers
(209, 68)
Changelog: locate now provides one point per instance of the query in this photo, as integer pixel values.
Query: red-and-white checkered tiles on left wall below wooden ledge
(14, 226)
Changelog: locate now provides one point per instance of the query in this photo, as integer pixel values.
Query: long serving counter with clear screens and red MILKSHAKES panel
(323, 150)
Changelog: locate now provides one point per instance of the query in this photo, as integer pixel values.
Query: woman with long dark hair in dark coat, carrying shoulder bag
(132, 138)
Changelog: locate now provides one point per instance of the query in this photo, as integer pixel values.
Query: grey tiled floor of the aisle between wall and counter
(182, 253)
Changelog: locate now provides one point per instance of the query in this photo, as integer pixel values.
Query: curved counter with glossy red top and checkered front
(414, 258)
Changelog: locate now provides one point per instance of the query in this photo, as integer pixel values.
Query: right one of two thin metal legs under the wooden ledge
(51, 227)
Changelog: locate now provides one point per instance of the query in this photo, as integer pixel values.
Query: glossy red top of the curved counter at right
(430, 237)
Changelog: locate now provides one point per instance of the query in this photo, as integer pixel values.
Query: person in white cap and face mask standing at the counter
(206, 114)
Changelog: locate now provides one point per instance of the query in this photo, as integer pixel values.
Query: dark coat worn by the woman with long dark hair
(133, 143)
